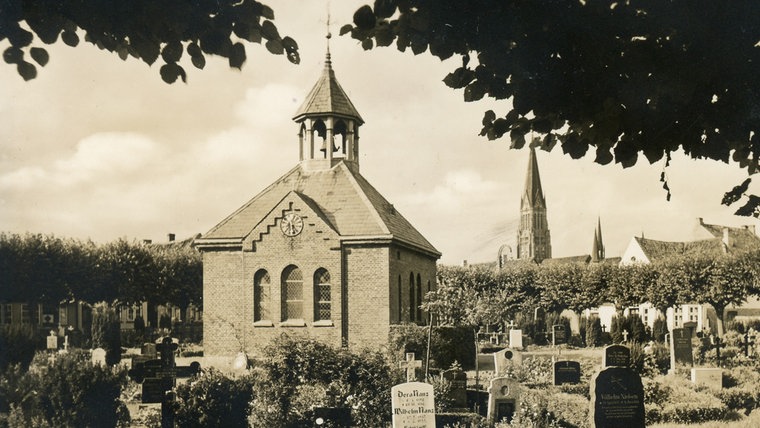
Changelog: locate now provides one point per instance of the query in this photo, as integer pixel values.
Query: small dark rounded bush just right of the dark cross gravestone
(214, 400)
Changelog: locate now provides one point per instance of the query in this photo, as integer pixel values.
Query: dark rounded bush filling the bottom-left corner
(66, 390)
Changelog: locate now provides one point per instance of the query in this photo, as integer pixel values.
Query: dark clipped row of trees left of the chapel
(47, 269)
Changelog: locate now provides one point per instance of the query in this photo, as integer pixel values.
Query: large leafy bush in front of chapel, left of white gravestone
(295, 375)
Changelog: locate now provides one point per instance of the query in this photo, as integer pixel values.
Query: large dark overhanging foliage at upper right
(621, 78)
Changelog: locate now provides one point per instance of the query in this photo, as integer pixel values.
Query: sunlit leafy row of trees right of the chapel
(481, 296)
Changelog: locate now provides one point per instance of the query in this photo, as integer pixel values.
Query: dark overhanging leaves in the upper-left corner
(144, 29)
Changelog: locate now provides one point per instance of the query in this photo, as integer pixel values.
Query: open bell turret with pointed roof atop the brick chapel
(328, 124)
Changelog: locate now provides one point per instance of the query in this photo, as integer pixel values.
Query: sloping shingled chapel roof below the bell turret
(341, 197)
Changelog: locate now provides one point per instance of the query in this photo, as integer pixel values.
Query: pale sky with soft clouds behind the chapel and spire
(99, 148)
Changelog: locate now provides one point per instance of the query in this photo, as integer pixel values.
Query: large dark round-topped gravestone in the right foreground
(617, 399)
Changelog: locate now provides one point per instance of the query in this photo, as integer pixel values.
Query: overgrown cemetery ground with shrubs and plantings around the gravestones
(294, 379)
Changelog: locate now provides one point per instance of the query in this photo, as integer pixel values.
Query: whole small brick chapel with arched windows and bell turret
(319, 252)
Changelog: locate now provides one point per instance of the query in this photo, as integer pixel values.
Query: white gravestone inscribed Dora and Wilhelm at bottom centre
(413, 405)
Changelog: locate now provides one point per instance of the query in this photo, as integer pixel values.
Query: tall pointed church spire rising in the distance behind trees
(533, 237)
